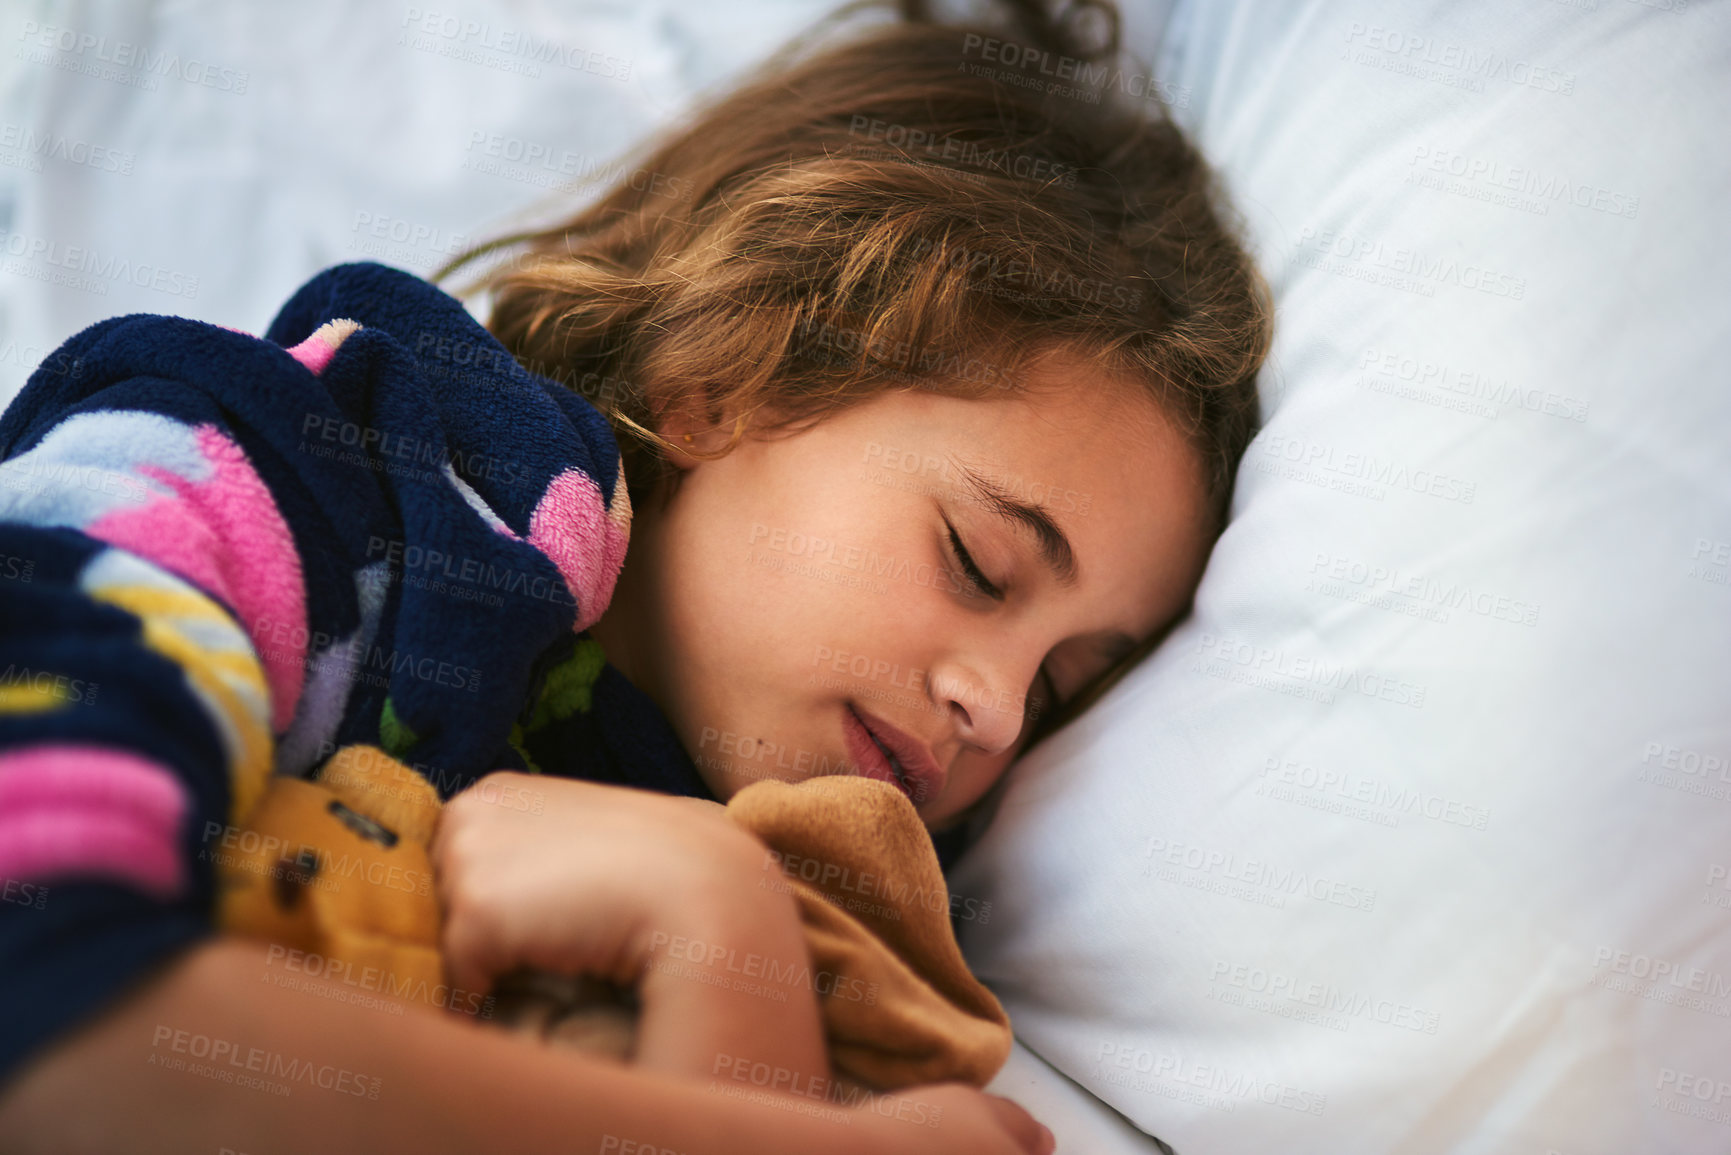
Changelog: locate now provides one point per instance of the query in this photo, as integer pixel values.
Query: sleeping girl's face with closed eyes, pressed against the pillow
(901, 590)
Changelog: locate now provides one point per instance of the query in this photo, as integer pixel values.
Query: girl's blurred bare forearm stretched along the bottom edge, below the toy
(442, 1087)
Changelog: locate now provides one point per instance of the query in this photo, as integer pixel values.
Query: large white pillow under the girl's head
(1417, 836)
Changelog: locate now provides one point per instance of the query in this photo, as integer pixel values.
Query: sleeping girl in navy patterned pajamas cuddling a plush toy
(872, 442)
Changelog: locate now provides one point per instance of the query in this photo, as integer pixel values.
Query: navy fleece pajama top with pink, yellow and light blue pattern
(224, 558)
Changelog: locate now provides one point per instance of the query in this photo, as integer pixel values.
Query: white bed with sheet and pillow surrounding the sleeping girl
(1417, 836)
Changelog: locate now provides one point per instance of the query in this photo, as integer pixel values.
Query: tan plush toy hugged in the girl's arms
(338, 868)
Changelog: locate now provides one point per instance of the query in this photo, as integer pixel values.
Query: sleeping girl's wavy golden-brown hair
(915, 207)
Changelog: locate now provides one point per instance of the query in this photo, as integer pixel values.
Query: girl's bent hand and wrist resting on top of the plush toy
(641, 889)
